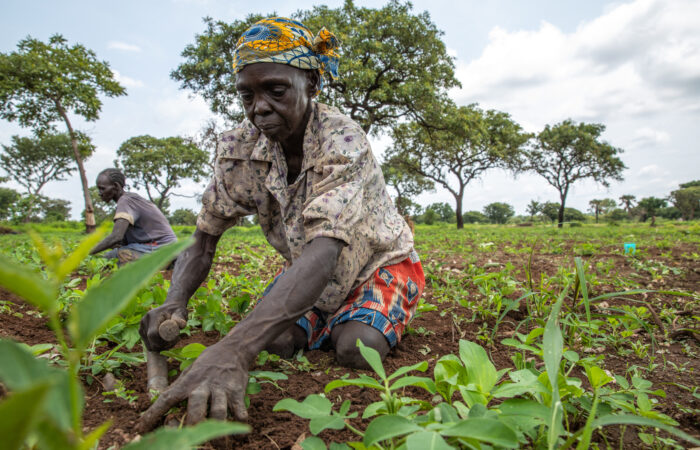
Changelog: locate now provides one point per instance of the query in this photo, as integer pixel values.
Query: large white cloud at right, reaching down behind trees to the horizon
(635, 68)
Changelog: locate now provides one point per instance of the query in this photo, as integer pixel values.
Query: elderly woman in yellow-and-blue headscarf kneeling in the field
(308, 172)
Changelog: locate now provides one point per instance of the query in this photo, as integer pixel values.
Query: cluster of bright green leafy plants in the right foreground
(542, 408)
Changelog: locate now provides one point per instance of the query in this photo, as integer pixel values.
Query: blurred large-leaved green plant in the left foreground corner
(44, 409)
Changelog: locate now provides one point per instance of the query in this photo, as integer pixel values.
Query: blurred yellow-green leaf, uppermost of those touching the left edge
(27, 284)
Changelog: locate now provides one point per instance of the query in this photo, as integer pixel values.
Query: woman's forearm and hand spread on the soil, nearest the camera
(221, 371)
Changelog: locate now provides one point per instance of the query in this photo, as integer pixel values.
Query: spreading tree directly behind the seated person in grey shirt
(159, 165)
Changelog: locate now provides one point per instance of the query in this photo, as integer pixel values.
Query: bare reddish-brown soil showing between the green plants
(440, 336)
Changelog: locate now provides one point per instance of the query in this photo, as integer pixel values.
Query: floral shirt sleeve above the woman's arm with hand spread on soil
(336, 204)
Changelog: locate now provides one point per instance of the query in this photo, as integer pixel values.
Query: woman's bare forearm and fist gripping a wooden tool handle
(191, 269)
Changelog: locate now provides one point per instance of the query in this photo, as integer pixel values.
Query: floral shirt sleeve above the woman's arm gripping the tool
(222, 202)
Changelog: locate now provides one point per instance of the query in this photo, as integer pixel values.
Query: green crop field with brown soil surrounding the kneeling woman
(594, 339)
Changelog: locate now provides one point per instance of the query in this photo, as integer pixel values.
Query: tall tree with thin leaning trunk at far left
(41, 83)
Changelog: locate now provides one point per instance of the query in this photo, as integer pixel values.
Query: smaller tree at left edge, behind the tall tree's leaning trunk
(34, 161)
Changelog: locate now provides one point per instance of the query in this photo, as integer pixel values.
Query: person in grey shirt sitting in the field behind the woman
(139, 226)
